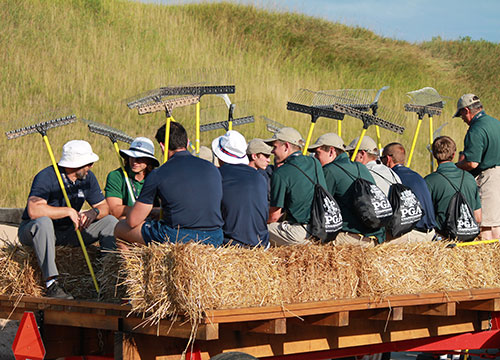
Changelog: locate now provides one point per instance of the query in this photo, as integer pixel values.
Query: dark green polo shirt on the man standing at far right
(482, 142)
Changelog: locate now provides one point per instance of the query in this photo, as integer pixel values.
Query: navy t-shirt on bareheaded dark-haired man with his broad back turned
(190, 190)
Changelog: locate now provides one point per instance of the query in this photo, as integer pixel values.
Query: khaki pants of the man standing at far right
(489, 184)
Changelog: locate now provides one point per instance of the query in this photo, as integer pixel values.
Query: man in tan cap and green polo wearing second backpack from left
(329, 150)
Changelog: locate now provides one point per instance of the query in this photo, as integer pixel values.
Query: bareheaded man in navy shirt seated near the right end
(394, 156)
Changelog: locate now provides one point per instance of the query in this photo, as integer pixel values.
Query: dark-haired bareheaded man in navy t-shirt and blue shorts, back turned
(190, 190)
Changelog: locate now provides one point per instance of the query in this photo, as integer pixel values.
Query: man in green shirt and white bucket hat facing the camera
(139, 162)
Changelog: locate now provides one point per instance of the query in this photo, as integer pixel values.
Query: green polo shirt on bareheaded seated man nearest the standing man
(442, 191)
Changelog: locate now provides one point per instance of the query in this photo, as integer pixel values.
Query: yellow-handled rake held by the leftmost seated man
(42, 128)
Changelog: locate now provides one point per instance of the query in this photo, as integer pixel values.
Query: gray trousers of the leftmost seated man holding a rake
(40, 234)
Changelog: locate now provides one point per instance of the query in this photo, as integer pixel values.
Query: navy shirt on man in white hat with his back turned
(245, 208)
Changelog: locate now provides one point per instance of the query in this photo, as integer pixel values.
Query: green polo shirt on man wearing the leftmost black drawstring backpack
(292, 191)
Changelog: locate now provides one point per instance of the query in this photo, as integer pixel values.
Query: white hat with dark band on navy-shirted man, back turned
(231, 148)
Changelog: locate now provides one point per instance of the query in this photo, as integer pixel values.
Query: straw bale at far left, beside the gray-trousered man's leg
(18, 274)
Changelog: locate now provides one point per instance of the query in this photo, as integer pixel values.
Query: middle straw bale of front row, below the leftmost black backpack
(317, 272)
